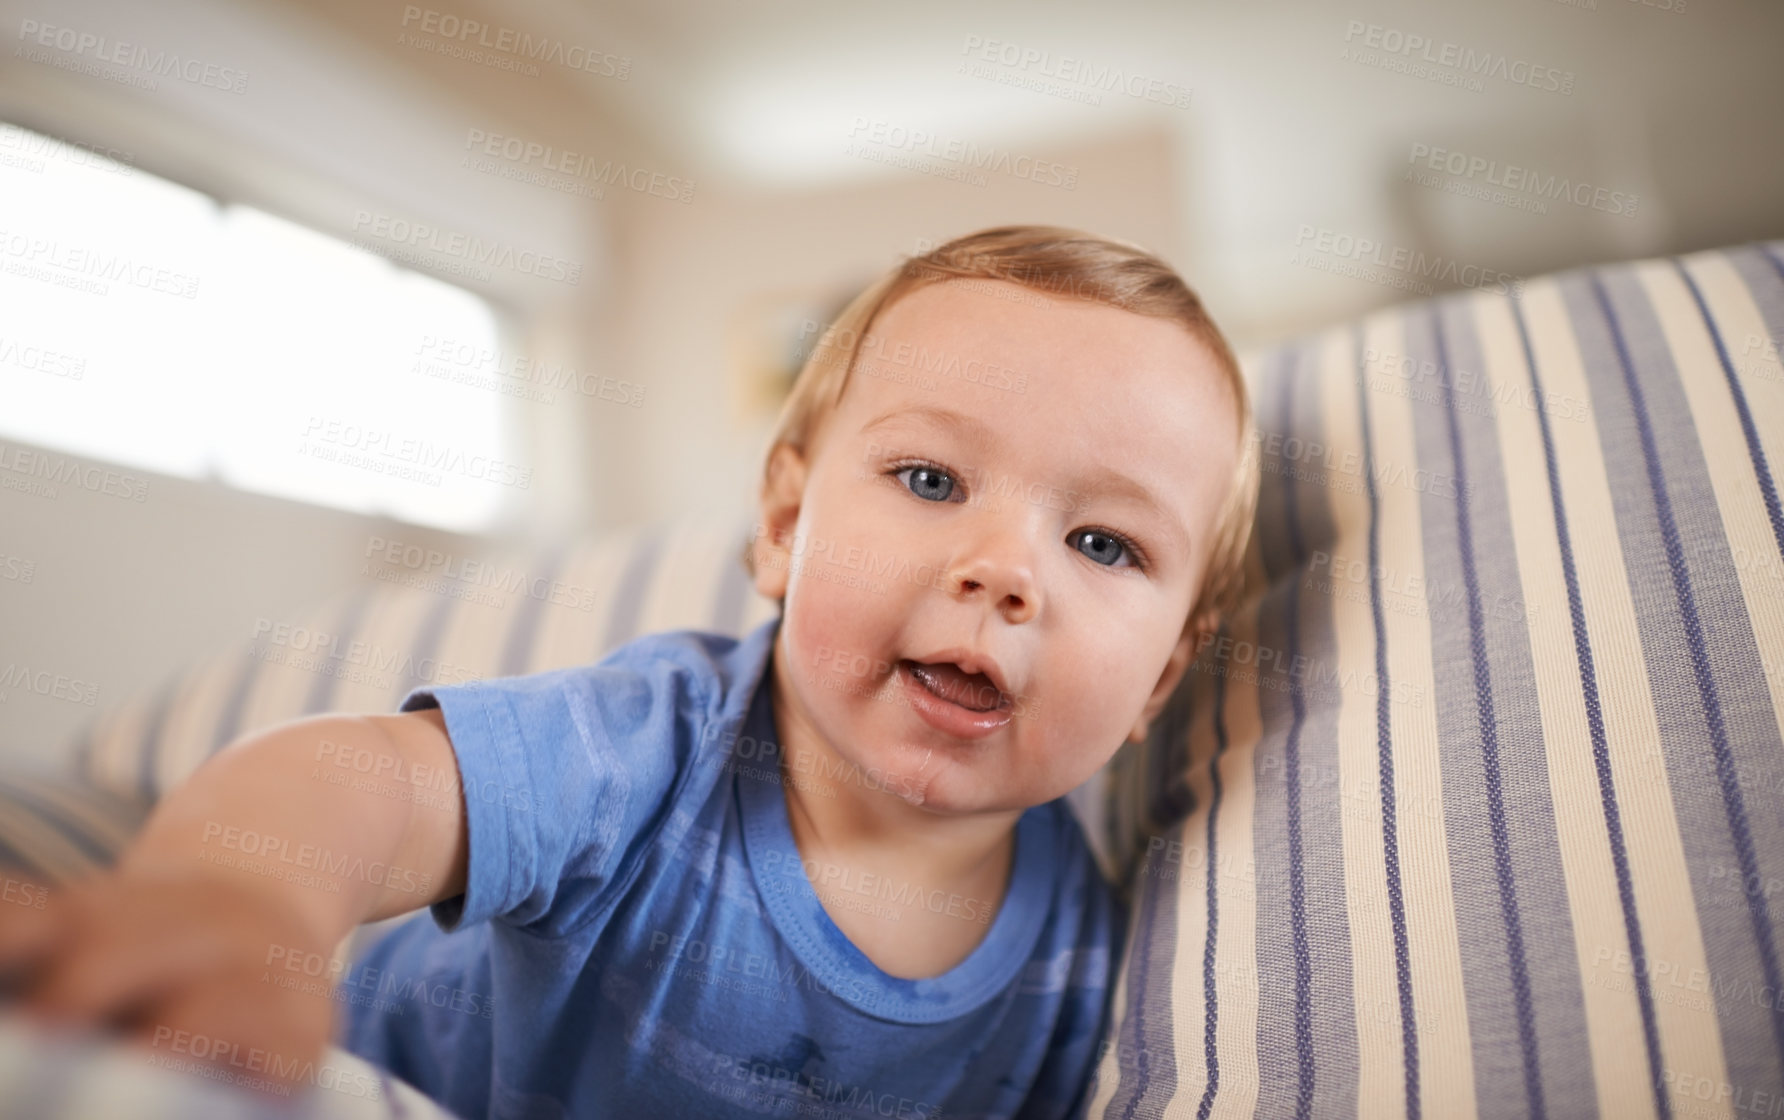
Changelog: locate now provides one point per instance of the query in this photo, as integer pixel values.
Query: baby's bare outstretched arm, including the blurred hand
(267, 852)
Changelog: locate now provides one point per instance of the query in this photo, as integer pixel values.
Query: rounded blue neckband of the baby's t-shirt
(830, 957)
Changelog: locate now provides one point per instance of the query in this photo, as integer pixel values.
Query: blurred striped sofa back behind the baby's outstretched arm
(408, 629)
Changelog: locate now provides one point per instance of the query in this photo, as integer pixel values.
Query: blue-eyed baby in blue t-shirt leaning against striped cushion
(825, 869)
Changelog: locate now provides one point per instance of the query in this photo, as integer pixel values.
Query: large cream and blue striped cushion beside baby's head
(1478, 809)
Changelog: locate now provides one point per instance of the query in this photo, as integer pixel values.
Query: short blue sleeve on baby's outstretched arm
(565, 777)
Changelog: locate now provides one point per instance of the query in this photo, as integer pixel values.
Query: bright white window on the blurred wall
(147, 325)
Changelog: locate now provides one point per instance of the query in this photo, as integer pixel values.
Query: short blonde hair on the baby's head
(1062, 263)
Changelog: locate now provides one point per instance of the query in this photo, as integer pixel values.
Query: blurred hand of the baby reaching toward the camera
(178, 962)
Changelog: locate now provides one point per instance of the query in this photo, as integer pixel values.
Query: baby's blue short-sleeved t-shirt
(640, 937)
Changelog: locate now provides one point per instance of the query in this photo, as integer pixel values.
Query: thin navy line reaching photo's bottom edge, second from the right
(1483, 691)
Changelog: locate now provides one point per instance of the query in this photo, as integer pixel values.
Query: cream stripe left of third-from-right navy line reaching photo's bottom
(1382, 1060)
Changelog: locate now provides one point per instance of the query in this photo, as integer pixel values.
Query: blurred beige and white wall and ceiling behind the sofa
(1246, 144)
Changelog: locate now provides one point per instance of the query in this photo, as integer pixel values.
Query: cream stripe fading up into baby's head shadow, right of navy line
(1237, 946)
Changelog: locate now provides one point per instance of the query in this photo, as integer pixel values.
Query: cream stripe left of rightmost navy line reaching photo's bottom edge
(1614, 1021)
